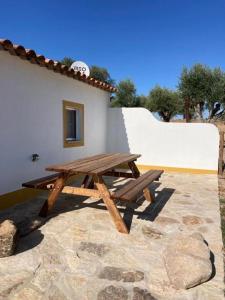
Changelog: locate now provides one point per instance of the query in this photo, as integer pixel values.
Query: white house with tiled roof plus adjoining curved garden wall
(49, 110)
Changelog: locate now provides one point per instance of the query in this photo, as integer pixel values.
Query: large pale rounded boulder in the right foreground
(187, 260)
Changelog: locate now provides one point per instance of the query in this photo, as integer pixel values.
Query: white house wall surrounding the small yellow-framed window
(31, 120)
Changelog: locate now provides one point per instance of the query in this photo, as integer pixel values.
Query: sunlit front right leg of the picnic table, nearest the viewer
(110, 205)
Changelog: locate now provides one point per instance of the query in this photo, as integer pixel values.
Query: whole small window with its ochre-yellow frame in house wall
(73, 123)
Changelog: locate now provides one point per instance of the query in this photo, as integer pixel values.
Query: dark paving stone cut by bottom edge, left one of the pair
(113, 293)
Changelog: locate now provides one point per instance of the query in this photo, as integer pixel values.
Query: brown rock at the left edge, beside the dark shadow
(8, 237)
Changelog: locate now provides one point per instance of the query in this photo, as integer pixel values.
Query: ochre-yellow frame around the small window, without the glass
(76, 106)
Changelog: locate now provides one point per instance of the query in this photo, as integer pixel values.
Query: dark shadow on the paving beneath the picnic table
(25, 215)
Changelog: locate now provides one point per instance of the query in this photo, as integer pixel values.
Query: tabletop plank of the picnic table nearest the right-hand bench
(110, 165)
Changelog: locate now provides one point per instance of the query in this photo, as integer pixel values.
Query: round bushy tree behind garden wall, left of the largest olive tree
(164, 101)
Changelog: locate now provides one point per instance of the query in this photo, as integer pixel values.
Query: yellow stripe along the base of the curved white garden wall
(177, 170)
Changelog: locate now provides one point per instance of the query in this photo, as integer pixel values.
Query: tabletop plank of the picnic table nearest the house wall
(68, 165)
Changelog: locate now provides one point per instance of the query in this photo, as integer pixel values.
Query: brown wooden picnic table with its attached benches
(94, 168)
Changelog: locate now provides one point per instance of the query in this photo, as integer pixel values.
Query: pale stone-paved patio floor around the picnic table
(78, 254)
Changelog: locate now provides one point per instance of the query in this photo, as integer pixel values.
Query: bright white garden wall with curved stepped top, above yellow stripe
(179, 145)
